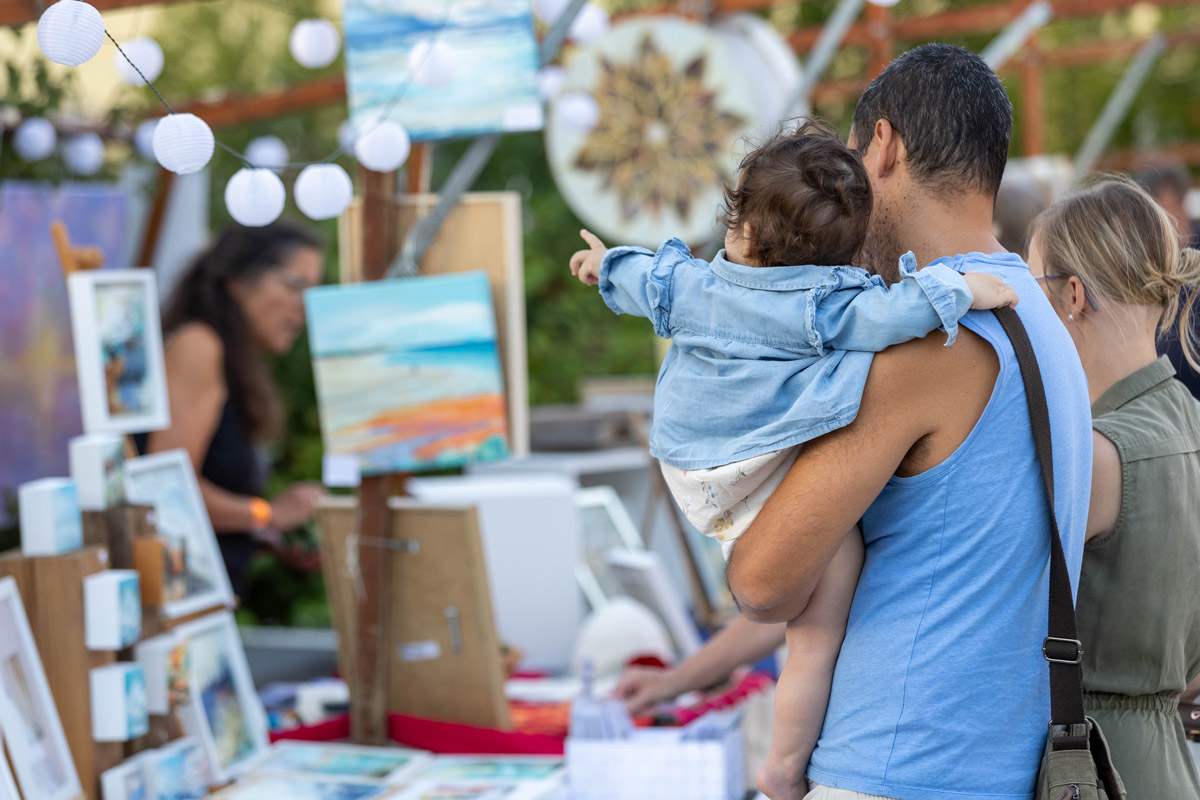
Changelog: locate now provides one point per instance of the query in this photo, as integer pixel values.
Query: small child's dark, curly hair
(805, 197)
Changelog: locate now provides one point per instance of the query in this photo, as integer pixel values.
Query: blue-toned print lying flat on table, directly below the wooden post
(387, 765)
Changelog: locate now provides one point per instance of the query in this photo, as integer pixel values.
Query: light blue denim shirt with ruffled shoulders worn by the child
(764, 359)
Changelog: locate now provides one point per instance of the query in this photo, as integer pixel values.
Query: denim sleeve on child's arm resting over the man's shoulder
(874, 317)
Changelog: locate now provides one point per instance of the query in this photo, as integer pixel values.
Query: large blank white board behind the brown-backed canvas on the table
(531, 532)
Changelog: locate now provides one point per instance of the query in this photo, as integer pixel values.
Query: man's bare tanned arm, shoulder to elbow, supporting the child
(916, 393)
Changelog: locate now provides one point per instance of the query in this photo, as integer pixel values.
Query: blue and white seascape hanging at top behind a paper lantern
(493, 87)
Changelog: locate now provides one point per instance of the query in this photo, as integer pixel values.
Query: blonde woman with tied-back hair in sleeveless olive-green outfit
(1112, 263)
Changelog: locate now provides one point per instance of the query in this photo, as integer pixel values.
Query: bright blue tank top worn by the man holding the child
(941, 691)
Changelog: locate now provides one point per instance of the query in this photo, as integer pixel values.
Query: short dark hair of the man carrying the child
(951, 112)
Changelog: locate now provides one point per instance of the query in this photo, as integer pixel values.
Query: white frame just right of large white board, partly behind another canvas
(605, 526)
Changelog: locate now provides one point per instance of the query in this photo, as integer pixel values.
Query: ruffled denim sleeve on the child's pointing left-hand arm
(635, 281)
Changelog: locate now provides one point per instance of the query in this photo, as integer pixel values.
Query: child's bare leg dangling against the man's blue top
(814, 641)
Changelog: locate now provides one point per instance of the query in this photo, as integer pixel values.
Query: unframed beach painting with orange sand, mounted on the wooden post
(409, 375)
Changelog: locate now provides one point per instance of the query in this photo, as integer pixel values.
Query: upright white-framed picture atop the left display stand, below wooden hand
(118, 340)
